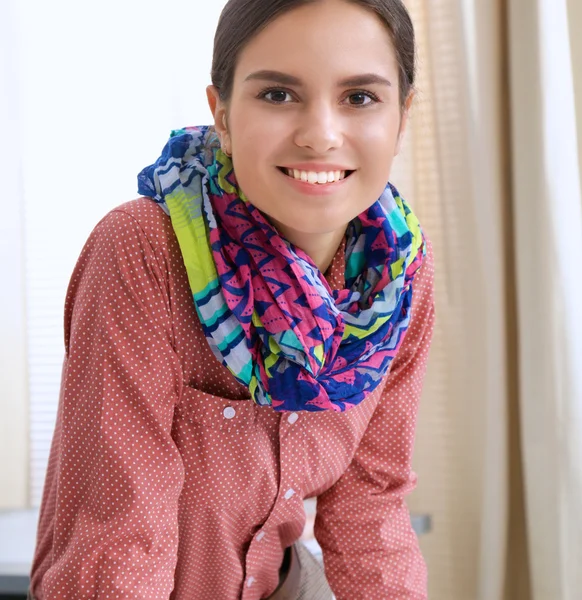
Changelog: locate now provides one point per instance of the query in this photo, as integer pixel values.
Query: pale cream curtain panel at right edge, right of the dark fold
(548, 237)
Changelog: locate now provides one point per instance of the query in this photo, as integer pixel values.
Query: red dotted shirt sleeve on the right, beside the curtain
(363, 524)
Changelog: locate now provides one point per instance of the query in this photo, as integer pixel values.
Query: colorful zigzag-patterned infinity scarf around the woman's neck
(293, 341)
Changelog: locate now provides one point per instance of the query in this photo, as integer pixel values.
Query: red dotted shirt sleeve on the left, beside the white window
(110, 502)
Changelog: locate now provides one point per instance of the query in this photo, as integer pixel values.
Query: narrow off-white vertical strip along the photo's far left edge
(13, 387)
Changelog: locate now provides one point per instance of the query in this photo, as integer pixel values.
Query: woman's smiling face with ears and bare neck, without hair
(316, 91)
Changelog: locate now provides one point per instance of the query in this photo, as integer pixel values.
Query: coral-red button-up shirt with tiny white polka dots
(166, 481)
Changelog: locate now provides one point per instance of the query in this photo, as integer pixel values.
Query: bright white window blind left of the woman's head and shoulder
(102, 86)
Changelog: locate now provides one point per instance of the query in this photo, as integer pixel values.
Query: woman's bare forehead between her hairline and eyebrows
(331, 36)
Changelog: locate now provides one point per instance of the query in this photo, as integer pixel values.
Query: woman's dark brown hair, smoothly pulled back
(241, 20)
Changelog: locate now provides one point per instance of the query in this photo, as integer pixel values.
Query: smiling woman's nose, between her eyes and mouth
(319, 128)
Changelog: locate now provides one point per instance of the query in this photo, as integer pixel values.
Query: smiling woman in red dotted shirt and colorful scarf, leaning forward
(189, 433)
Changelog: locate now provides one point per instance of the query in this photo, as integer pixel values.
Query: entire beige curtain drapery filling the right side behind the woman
(492, 168)
